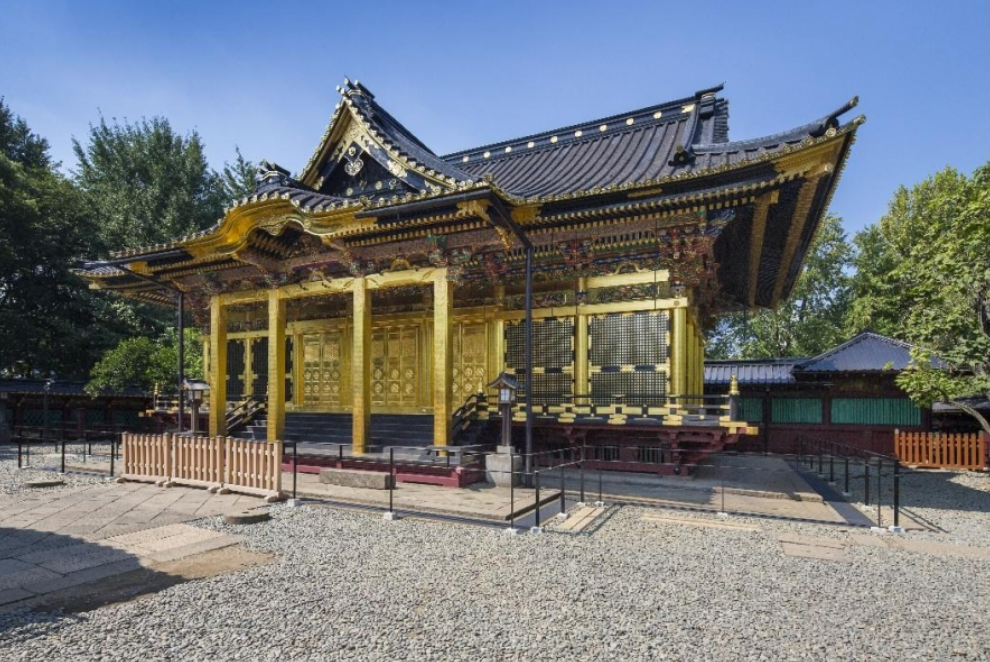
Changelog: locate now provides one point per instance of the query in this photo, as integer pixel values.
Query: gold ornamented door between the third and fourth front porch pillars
(394, 366)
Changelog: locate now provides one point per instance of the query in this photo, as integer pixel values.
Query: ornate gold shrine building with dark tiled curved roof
(384, 281)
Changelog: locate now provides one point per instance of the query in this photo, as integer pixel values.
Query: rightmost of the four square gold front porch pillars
(443, 357)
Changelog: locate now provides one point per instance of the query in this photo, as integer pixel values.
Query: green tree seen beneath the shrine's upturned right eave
(809, 322)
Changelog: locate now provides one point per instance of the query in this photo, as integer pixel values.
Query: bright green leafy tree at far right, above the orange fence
(940, 233)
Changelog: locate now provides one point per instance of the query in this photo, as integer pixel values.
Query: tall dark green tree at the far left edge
(46, 323)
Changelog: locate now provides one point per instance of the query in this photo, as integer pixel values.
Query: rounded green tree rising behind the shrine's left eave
(146, 184)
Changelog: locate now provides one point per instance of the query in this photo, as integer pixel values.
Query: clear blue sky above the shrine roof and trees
(261, 75)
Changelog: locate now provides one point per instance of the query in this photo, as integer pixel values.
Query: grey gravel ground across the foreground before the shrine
(348, 586)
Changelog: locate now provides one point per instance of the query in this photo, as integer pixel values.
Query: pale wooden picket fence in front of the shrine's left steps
(217, 463)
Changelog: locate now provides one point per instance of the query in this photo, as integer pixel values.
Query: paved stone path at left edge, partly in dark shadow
(51, 540)
